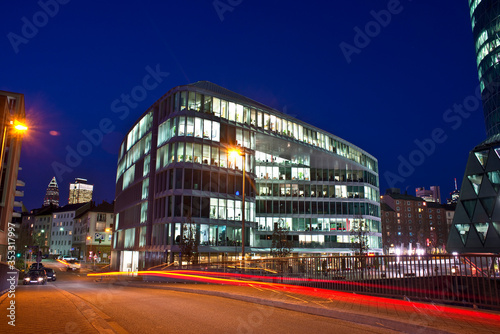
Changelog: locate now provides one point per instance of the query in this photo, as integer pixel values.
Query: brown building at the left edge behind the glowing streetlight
(12, 118)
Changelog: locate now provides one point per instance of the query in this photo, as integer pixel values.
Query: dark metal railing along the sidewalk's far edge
(462, 280)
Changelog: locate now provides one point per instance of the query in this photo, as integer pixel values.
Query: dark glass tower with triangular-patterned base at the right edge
(476, 224)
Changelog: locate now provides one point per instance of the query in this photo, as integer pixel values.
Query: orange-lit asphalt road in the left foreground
(79, 304)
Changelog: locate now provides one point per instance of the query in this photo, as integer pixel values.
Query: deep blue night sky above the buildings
(395, 90)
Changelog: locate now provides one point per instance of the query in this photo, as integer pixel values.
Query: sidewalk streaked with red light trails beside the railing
(393, 314)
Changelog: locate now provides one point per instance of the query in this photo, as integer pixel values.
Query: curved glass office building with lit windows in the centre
(176, 169)
